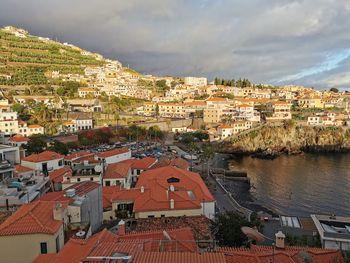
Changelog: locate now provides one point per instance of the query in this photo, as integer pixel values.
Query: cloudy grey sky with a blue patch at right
(267, 41)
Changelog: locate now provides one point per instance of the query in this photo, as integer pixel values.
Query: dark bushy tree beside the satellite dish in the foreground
(227, 227)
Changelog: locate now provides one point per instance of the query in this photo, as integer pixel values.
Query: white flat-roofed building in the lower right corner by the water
(334, 231)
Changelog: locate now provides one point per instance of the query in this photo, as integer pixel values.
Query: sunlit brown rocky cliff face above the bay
(290, 138)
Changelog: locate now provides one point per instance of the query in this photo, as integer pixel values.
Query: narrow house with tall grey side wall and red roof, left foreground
(84, 208)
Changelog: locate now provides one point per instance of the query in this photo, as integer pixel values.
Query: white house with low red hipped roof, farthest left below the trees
(43, 162)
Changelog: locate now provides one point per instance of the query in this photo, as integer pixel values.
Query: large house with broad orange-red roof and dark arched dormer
(165, 192)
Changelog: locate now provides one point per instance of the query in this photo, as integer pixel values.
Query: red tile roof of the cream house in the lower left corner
(32, 218)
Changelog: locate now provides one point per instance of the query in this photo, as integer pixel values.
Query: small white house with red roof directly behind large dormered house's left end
(118, 174)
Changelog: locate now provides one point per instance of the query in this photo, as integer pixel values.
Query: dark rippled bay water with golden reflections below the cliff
(300, 185)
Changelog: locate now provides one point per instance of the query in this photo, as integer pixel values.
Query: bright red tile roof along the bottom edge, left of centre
(105, 243)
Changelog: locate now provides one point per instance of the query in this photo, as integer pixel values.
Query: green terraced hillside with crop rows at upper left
(27, 60)
